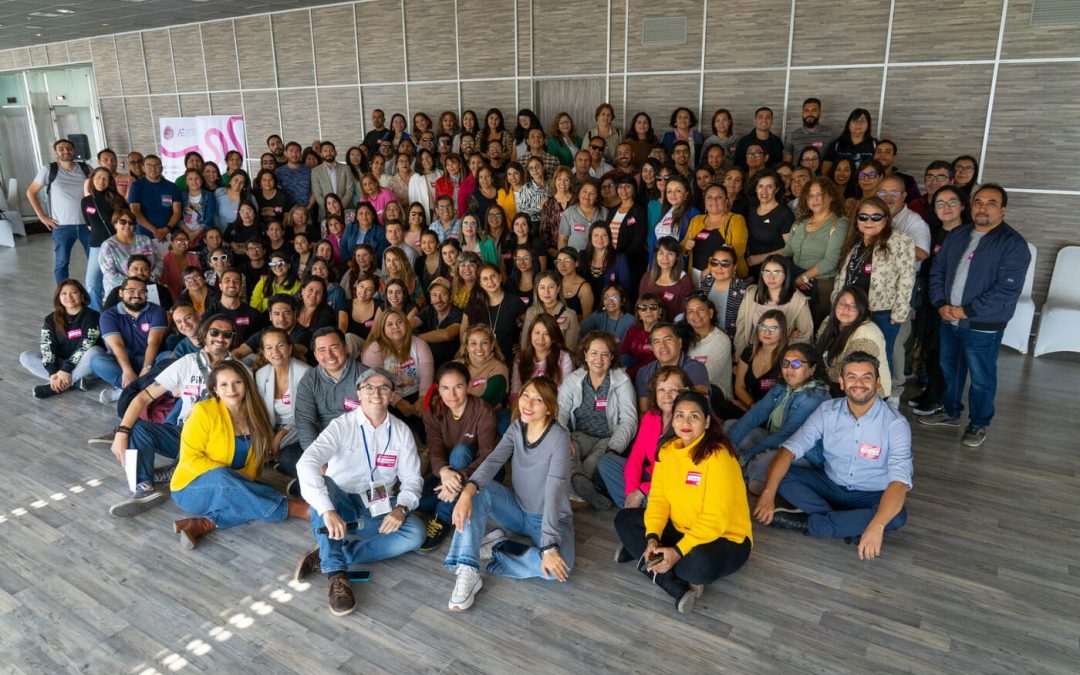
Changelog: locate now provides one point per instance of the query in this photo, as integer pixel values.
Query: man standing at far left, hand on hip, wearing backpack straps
(63, 182)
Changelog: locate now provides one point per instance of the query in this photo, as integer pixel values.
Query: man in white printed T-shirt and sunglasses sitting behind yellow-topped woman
(185, 380)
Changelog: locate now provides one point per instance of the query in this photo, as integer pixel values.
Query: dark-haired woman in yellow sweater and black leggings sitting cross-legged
(696, 528)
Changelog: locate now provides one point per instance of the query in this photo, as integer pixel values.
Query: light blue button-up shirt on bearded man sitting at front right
(866, 454)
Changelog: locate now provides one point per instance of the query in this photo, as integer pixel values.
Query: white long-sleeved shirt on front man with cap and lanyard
(355, 451)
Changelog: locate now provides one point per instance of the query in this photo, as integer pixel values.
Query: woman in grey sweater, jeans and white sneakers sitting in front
(537, 507)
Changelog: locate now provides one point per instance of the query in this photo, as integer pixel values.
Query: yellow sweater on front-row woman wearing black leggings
(704, 502)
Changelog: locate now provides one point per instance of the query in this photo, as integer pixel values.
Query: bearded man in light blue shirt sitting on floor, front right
(860, 492)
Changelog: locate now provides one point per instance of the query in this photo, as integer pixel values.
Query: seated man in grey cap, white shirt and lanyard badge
(366, 452)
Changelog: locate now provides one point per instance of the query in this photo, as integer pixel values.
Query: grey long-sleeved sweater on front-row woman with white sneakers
(541, 474)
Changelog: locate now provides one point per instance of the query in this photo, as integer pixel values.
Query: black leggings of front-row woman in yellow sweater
(705, 564)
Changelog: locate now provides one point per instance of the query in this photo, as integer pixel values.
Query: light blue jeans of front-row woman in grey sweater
(511, 559)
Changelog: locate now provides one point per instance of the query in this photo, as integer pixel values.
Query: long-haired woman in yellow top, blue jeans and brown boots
(225, 442)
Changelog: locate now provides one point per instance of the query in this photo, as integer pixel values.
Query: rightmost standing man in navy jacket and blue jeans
(976, 281)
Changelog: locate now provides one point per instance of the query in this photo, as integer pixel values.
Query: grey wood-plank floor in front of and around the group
(985, 578)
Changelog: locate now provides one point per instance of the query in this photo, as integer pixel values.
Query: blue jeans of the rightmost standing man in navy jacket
(966, 353)
